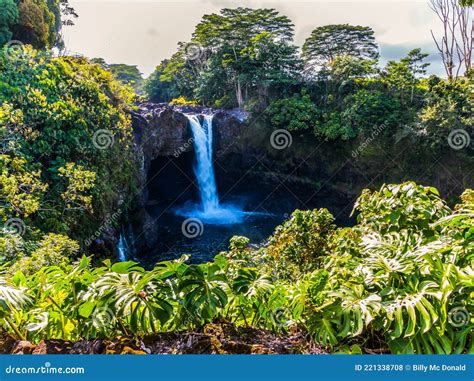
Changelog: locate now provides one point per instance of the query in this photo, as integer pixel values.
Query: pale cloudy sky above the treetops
(144, 32)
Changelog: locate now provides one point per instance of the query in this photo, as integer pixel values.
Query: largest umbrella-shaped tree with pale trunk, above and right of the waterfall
(253, 46)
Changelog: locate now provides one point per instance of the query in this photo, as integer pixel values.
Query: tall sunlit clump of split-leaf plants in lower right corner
(406, 275)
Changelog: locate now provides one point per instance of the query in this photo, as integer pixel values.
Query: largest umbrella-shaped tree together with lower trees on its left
(240, 51)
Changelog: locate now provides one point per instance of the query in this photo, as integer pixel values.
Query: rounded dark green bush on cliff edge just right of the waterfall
(297, 113)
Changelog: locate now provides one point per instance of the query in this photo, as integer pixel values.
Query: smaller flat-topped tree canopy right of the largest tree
(331, 41)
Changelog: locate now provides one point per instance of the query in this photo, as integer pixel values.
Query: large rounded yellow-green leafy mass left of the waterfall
(67, 144)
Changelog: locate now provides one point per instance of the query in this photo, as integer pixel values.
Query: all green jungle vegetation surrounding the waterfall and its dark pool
(400, 280)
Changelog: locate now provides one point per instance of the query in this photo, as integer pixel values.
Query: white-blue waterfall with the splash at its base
(209, 209)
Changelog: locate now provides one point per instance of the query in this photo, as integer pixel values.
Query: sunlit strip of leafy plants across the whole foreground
(400, 280)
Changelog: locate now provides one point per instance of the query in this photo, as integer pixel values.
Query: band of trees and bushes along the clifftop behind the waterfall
(334, 90)
